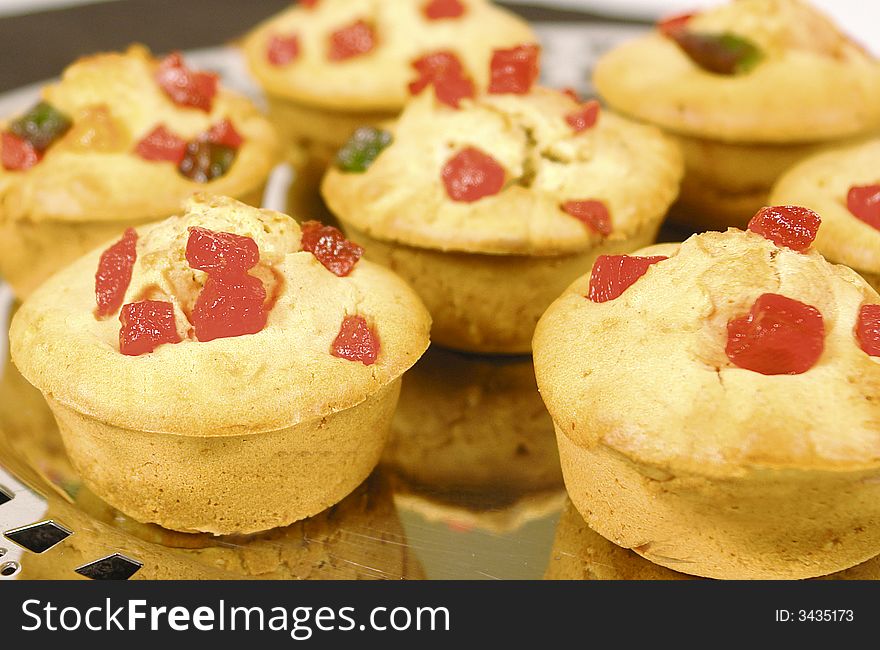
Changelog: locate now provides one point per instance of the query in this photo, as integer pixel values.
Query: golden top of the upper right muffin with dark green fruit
(808, 81)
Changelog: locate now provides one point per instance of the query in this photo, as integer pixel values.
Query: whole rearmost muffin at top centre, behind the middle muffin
(330, 66)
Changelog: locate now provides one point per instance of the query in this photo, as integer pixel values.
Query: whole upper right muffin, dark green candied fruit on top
(748, 89)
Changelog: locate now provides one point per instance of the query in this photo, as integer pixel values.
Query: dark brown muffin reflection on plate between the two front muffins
(472, 443)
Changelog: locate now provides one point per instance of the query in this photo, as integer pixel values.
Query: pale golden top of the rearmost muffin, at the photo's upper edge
(393, 34)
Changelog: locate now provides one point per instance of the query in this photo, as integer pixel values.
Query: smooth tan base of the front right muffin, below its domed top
(773, 524)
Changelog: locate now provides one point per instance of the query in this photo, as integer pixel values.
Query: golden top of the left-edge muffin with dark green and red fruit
(95, 172)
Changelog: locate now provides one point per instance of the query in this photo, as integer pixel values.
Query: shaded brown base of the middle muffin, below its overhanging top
(487, 304)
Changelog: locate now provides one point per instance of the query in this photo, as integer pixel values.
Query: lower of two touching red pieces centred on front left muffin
(230, 305)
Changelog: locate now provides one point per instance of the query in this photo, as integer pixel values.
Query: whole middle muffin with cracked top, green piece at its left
(491, 209)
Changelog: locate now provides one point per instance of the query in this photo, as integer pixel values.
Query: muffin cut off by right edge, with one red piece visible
(844, 187)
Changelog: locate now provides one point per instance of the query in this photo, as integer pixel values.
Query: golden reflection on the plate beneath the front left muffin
(359, 538)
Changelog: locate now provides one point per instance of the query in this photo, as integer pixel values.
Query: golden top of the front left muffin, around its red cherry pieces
(284, 374)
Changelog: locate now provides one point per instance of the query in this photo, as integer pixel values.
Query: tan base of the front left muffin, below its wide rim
(229, 484)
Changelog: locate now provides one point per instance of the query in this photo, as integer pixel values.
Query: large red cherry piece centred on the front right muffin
(779, 336)
